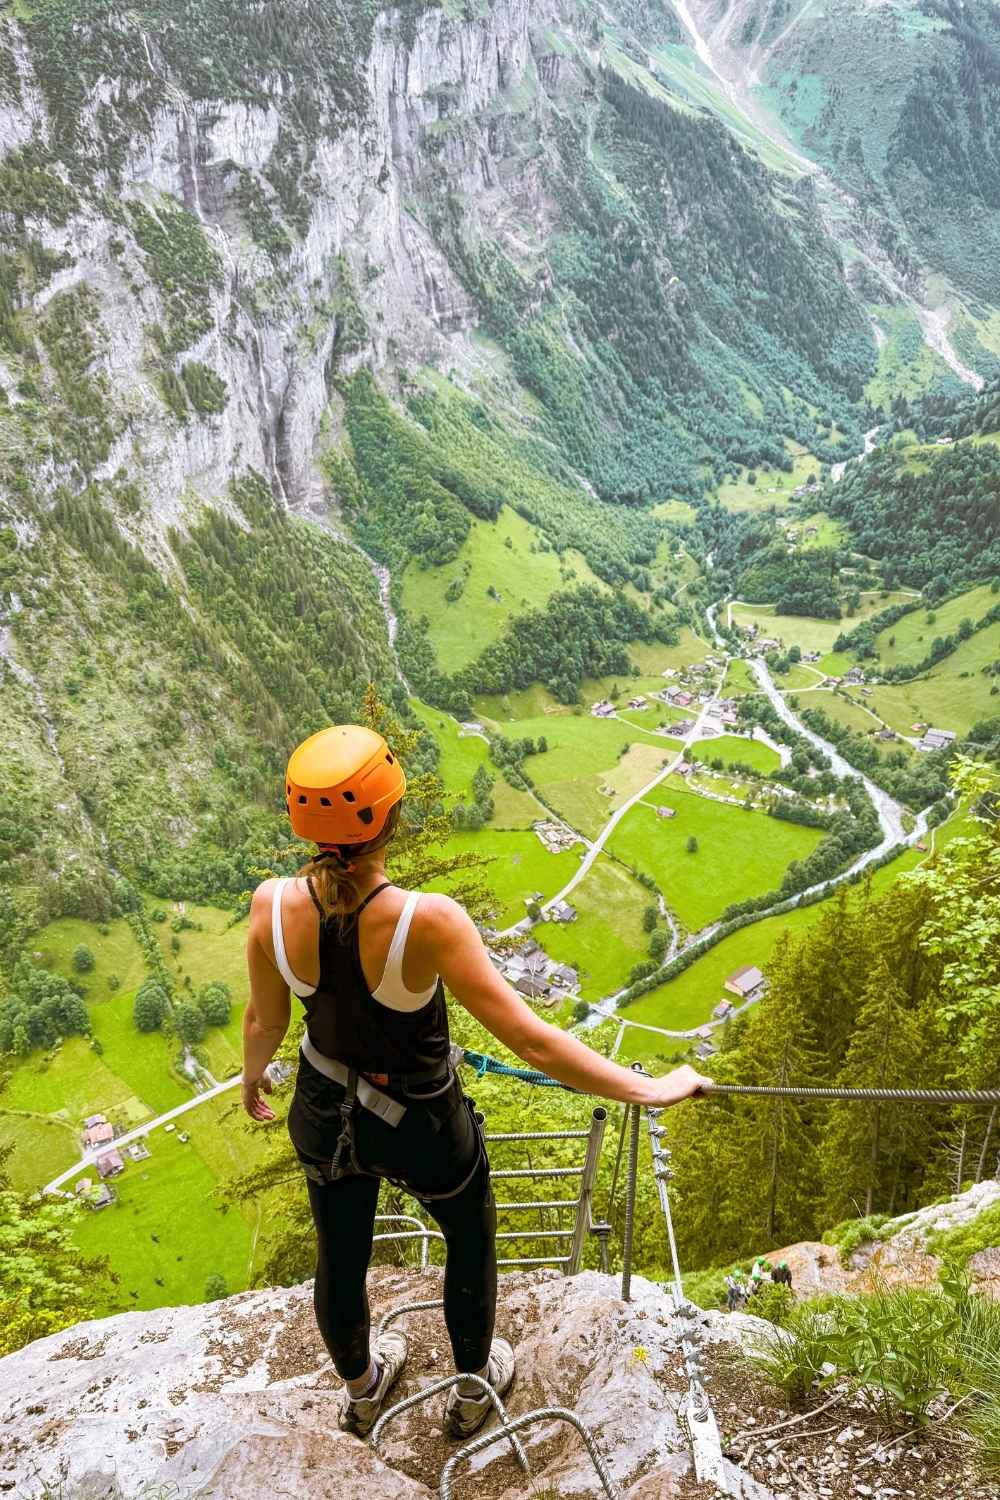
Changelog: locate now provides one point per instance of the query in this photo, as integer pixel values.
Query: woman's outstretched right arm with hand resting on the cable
(460, 955)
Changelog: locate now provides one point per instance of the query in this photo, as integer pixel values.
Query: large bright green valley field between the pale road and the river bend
(740, 853)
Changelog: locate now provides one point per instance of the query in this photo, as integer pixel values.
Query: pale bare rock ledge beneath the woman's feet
(239, 1397)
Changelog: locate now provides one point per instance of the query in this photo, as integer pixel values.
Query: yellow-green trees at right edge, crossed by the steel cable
(882, 991)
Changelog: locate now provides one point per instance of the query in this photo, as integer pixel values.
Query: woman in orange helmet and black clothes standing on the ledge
(376, 1094)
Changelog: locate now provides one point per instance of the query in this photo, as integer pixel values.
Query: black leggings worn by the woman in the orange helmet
(431, 1151)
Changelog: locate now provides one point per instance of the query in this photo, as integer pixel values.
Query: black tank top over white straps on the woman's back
(347, 1022)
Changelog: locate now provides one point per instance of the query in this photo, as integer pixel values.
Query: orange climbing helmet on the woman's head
(341, 785)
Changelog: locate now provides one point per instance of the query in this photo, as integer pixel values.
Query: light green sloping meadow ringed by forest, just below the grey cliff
(522, 575)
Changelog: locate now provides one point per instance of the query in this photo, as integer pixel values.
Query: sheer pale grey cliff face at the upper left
(439, 124)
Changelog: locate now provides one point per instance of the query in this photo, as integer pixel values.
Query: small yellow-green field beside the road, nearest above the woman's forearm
(606, 940)
